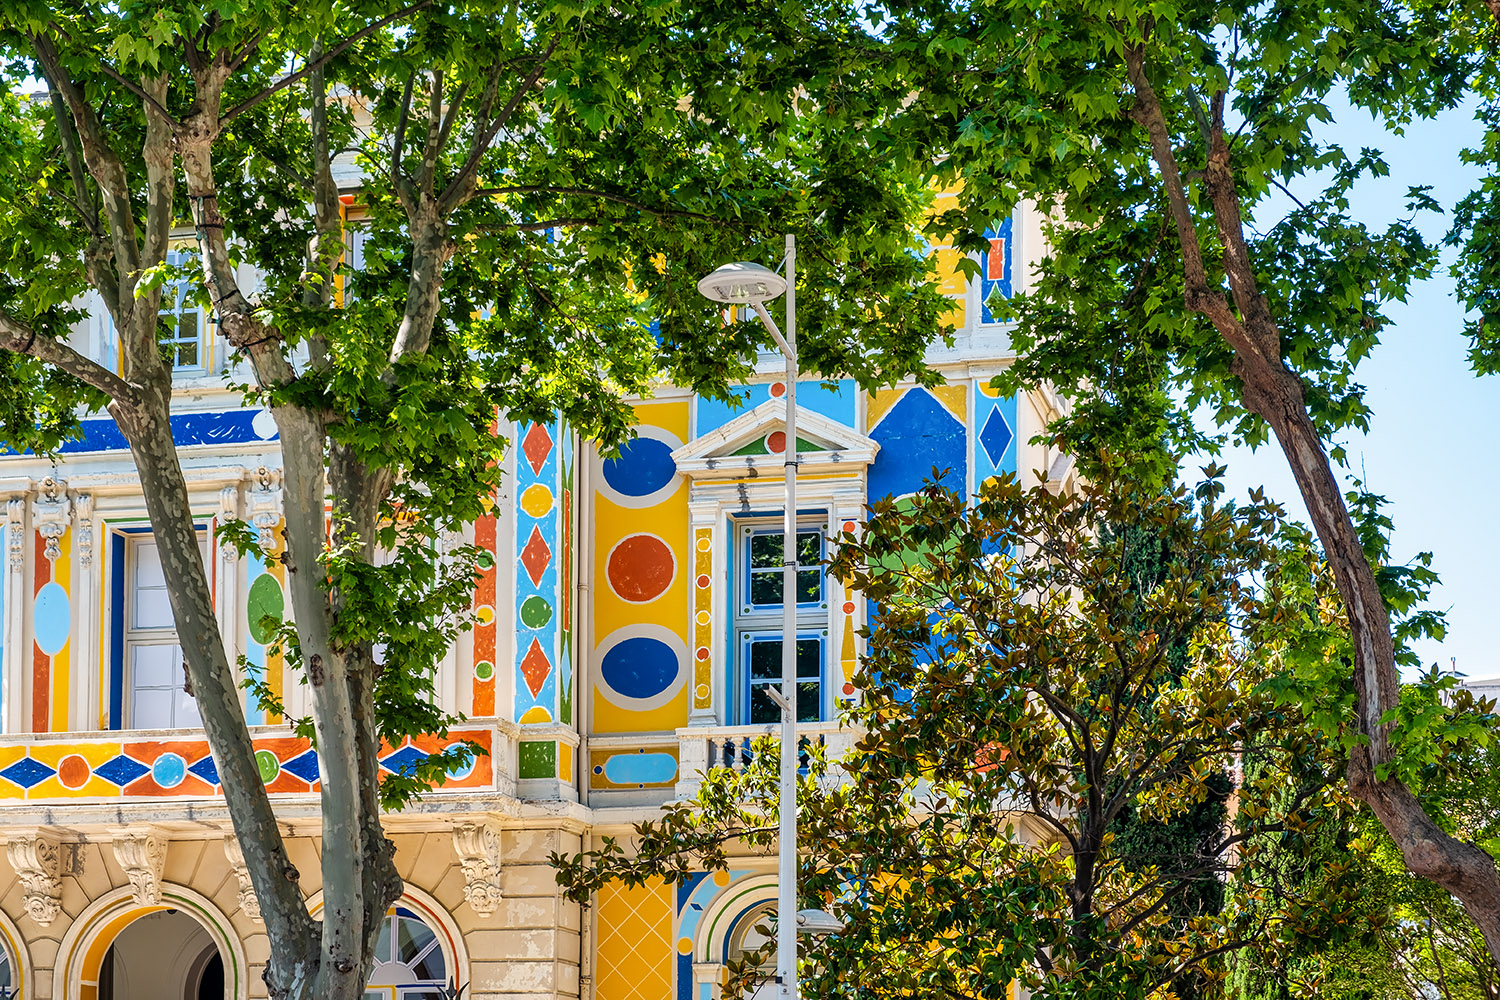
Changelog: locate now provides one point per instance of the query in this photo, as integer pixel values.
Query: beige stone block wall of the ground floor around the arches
(527, 950)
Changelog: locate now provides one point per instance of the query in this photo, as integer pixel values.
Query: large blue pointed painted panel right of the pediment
(919, 436)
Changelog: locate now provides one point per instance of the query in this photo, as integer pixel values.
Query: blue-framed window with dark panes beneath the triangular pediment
(760, 624)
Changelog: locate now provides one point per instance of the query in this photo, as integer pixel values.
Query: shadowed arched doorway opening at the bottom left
(163, 956)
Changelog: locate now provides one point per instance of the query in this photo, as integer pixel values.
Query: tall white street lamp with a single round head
(748, 284)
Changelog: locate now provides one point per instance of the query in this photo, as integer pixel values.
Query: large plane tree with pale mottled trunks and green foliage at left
(538, 191)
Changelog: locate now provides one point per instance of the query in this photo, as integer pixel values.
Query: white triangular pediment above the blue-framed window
(755, 442)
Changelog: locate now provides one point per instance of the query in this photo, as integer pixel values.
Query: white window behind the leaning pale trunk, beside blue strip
(154, 659)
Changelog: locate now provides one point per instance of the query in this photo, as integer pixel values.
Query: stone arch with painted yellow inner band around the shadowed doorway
(76, 975)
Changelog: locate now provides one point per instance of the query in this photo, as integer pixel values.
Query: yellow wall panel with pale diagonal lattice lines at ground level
(635, 944)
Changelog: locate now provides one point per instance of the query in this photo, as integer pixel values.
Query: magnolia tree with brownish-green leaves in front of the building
(1054, 687)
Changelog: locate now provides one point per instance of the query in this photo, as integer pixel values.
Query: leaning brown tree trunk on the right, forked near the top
(1276, 394)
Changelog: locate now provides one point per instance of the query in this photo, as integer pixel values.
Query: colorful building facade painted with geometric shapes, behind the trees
(623, 641)
